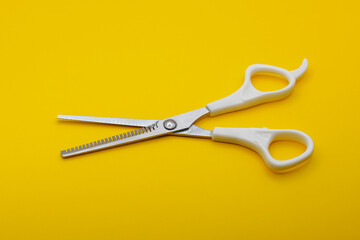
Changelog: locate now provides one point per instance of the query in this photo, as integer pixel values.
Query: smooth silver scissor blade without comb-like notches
(114, 121)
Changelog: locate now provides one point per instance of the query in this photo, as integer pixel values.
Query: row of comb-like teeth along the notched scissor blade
(118, 137)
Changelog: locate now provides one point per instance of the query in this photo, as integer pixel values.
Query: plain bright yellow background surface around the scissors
(151, 59)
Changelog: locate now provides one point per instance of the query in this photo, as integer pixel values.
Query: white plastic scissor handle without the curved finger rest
(259, 140)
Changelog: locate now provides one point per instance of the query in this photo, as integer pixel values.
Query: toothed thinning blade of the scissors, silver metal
(117, 140)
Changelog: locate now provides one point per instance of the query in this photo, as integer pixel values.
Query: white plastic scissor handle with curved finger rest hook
(248, 95)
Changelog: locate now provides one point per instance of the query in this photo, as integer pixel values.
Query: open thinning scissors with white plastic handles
(257, 139)
